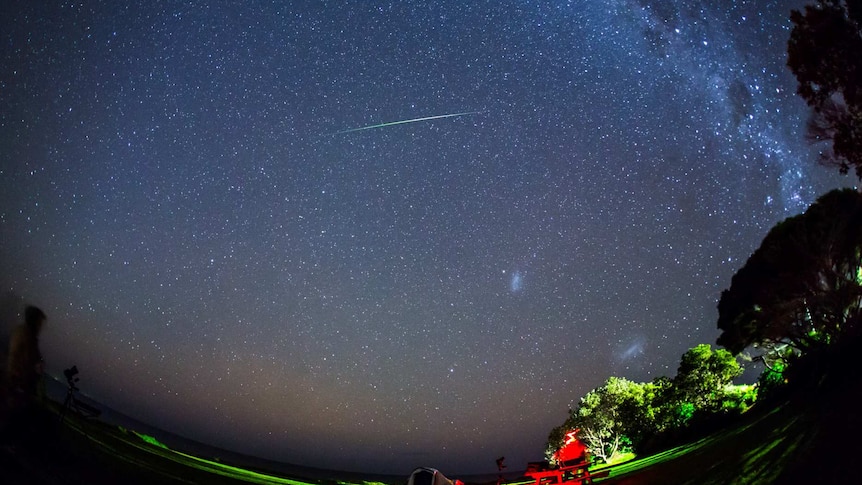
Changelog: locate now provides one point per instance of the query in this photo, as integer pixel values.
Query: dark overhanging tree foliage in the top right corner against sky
(824, 54)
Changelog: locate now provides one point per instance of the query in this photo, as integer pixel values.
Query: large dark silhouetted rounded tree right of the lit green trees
(803, 286)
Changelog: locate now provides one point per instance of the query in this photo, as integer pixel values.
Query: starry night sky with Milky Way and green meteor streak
(221, 256)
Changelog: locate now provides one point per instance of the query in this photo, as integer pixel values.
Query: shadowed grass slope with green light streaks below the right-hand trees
(811, 436)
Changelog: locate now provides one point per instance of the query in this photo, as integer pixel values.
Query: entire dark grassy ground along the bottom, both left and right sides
(802, 440)
